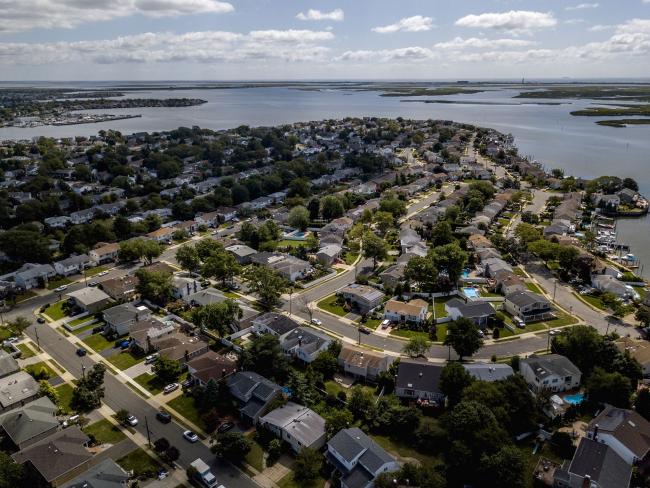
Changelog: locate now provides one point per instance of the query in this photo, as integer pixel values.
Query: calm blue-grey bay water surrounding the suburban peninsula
(546, 132)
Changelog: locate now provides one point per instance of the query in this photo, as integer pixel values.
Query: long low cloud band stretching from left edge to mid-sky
(163, 47)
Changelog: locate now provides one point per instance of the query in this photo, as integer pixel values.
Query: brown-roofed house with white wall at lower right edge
(623, 430)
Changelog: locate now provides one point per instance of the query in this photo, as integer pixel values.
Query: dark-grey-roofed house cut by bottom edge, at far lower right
(594, 465)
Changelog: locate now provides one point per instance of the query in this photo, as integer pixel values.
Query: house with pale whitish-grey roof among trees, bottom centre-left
(296, 425)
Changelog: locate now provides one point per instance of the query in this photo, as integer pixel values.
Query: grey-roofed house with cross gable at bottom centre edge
(359, 459)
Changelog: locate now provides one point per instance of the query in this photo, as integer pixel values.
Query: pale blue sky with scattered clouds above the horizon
(318, 40)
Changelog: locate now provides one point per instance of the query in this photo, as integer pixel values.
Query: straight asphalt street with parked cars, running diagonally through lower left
(119, 396)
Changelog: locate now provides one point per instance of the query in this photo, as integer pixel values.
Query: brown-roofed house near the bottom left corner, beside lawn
(59, 457)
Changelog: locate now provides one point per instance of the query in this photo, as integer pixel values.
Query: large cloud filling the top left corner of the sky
(22, 15)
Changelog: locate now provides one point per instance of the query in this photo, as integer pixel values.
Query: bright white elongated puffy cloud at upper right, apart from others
(515, 21)
